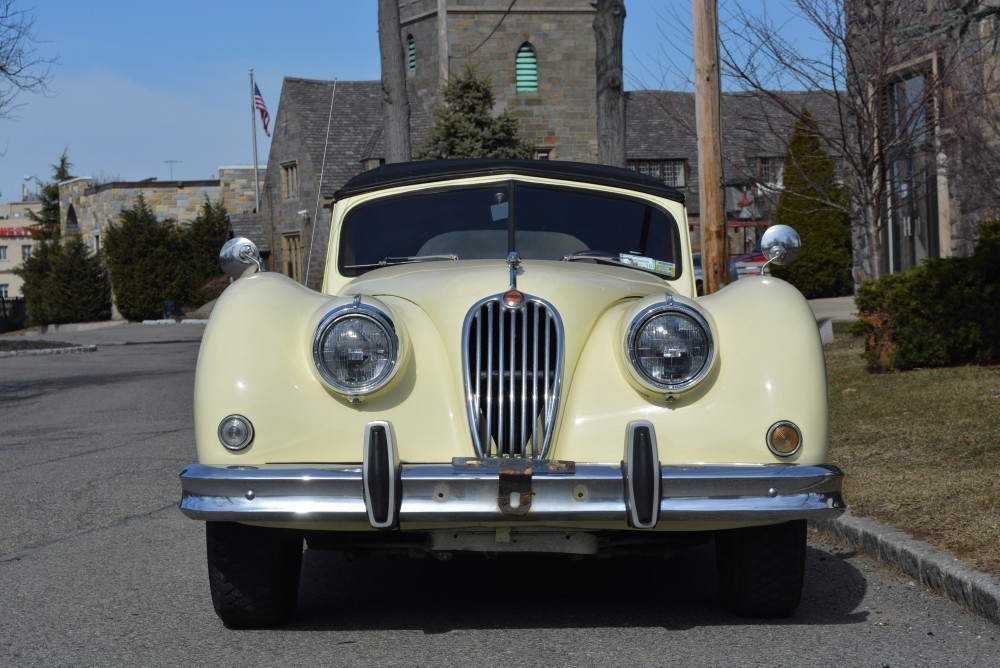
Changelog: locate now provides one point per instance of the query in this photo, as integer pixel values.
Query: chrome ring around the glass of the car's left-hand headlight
(369, 314)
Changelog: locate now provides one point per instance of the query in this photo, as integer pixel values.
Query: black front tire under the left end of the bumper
(253, 573)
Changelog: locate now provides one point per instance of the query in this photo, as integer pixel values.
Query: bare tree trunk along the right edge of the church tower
(609, 27)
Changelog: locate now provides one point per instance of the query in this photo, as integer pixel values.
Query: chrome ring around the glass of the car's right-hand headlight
(637, 326)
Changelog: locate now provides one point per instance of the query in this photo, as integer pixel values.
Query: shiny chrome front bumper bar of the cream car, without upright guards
(447, 495)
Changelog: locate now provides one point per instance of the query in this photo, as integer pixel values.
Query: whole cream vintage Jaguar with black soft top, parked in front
(507, 357)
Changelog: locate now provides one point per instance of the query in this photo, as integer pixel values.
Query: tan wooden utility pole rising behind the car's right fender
(708, 115)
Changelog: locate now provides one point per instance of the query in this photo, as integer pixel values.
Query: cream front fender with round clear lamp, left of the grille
(255, 360)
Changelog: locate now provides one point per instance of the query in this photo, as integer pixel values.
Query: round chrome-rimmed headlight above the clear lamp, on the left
(355, 349)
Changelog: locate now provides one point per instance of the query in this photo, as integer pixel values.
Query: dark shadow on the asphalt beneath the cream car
(548, 593)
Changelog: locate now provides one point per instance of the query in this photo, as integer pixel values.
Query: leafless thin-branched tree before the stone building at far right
(909, 101)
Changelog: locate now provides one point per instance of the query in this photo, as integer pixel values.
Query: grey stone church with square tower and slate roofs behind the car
(540, 56)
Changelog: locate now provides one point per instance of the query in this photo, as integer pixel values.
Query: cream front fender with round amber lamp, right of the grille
(770, 367)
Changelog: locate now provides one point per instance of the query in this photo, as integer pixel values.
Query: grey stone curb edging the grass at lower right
(935, 569)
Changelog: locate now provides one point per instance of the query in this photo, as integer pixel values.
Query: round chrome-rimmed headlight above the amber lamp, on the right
(670, 347)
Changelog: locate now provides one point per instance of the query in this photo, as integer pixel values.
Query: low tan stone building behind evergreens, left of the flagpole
(86, 207)
